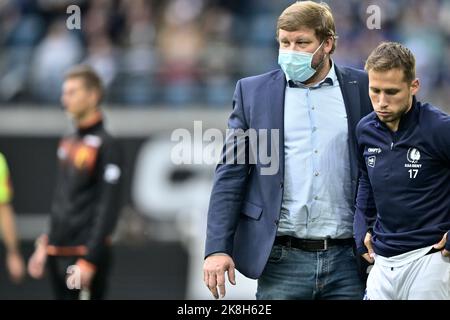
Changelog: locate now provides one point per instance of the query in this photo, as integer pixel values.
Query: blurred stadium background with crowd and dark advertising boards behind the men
(165, 64)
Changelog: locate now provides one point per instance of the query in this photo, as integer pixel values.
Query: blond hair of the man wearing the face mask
(311, 15)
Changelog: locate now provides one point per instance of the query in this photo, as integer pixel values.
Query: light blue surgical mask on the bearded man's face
(297, 65)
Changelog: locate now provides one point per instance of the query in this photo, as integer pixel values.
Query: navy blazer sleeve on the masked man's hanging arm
(230, 182)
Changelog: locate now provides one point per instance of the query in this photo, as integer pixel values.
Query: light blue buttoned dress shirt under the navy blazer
(317, 200)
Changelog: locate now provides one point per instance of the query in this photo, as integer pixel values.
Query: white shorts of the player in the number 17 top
(414, 275)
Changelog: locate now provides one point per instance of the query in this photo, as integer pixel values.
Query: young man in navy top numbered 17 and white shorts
(403, 201)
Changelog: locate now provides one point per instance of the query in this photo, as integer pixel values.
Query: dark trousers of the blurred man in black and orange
(57, 267)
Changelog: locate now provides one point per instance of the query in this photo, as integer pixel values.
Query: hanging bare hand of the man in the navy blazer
(214, 270)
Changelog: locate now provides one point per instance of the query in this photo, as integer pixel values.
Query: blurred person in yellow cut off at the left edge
(14, 260)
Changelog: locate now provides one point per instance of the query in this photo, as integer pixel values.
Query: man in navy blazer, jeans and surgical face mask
(292, 229)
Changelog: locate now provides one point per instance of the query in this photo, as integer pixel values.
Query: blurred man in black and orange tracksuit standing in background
(85, 206)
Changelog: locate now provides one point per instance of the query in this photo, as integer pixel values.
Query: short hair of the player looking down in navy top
(392, 55)
